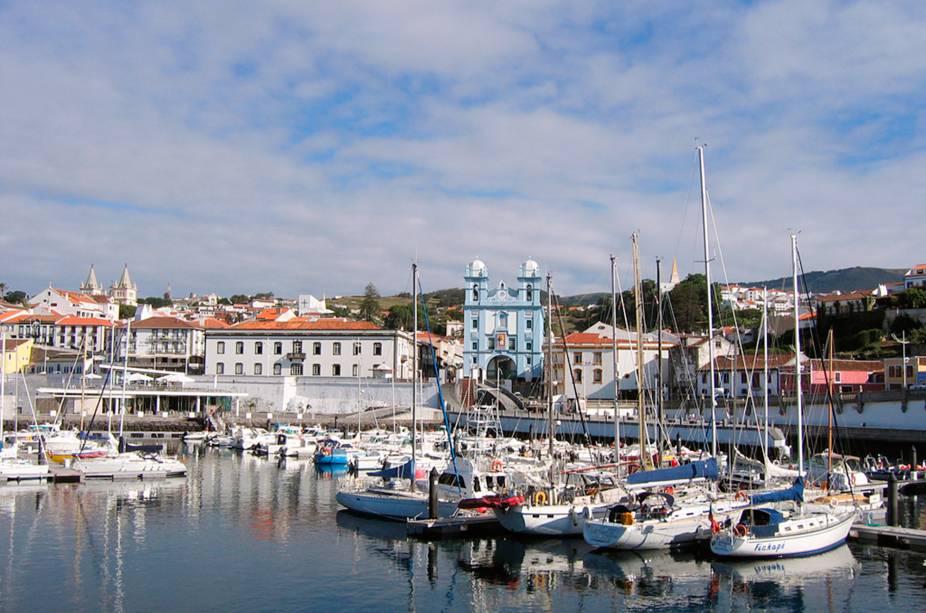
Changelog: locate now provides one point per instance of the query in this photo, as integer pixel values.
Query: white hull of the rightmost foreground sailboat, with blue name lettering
(783, 546)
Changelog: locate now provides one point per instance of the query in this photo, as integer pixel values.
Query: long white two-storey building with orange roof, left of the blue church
(310, 347)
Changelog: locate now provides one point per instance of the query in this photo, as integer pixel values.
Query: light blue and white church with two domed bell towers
(503, 326)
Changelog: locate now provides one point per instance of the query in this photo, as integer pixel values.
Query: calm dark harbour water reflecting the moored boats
(244, 533)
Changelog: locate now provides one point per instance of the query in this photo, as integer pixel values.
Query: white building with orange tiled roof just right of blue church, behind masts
(590, 359)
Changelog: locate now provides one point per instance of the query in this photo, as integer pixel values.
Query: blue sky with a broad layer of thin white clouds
(312, 147)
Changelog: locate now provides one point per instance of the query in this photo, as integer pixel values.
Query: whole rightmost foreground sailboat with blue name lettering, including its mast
(792, 531)
